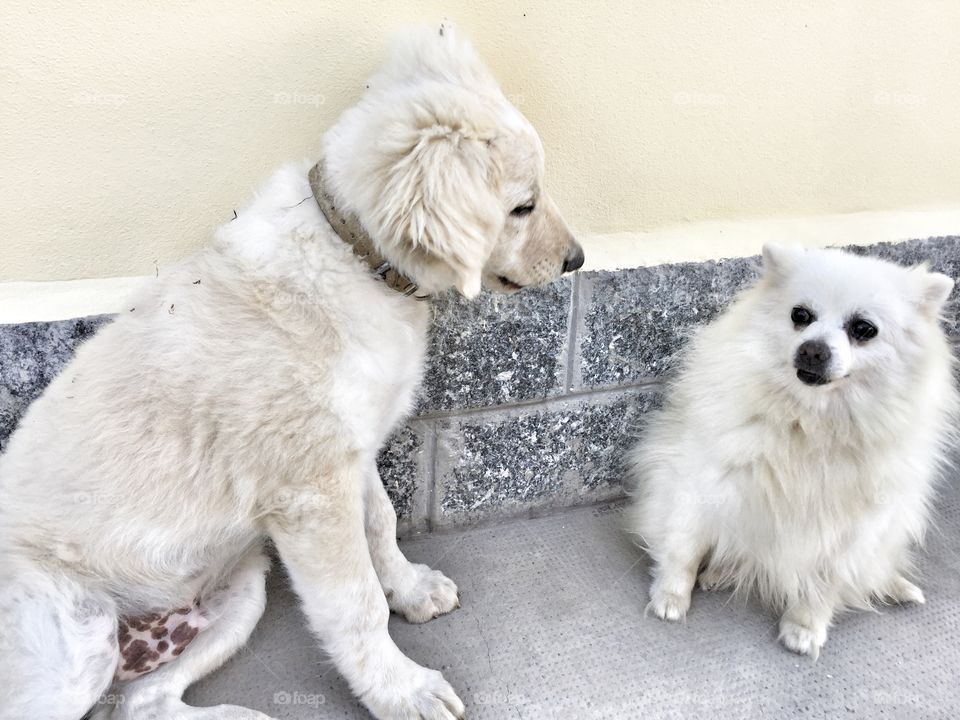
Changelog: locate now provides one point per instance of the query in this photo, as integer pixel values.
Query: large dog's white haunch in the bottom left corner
(58, 646)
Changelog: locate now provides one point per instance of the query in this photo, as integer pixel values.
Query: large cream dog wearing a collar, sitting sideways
(246, 395)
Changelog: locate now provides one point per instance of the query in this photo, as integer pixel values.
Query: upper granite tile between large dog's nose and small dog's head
(634, 322)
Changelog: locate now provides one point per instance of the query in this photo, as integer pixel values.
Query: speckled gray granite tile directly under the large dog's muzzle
(497, 348)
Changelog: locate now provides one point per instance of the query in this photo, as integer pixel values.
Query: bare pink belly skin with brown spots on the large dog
(149, 641)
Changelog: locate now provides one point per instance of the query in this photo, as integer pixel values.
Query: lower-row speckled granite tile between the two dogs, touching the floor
(508, 462)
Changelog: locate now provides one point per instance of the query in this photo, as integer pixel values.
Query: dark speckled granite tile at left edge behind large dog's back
(31, 355)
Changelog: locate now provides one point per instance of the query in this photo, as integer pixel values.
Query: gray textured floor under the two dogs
(552, 627)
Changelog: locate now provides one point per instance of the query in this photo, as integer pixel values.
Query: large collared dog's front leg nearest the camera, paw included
(322, 542)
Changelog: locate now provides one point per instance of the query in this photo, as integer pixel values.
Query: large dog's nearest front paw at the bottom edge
(419, 694)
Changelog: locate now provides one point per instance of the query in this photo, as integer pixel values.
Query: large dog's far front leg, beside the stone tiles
(414, 591)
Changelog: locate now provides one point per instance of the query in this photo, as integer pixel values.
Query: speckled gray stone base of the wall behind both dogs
(530, 401)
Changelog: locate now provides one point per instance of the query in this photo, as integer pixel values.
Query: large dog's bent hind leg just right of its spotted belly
(234, 610)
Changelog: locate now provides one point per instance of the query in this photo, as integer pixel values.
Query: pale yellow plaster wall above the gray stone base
(130, 129)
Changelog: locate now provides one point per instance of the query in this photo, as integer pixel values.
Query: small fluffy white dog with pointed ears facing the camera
(797, 452)
